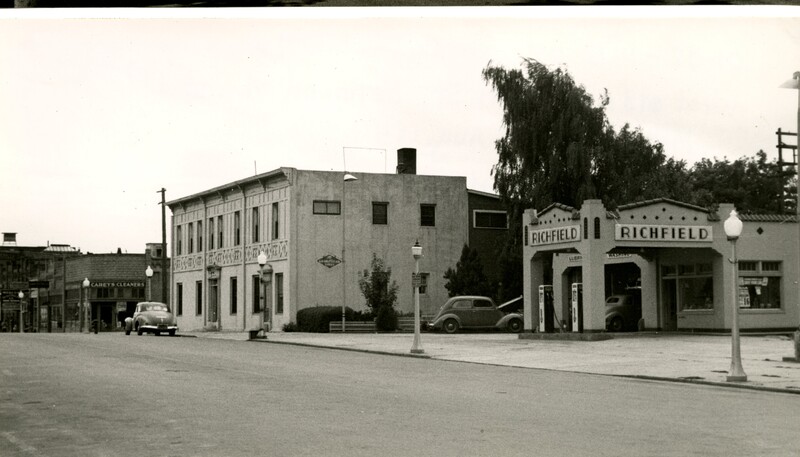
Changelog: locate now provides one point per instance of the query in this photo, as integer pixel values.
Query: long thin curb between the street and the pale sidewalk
(640, 377)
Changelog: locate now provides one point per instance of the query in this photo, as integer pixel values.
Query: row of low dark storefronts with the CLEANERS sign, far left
(55, 299)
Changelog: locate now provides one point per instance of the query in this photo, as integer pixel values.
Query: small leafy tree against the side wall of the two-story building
(380, 293)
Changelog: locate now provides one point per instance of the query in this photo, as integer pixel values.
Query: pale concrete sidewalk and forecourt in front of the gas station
(674, 357)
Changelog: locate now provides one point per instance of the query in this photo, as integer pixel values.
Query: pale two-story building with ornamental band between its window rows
(319, 232)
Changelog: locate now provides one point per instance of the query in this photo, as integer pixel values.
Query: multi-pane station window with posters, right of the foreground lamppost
(759, 285)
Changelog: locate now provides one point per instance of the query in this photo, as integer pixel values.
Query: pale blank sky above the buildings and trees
(100, 109)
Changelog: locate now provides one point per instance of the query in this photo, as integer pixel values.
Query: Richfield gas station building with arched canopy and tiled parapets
(675, 256)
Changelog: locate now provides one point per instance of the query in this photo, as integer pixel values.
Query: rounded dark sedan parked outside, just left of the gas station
(474, 312)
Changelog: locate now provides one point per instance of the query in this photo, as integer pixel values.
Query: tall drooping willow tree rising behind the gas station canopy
(559, 147)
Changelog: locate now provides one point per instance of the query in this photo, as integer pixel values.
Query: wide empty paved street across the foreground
(111, 395)
